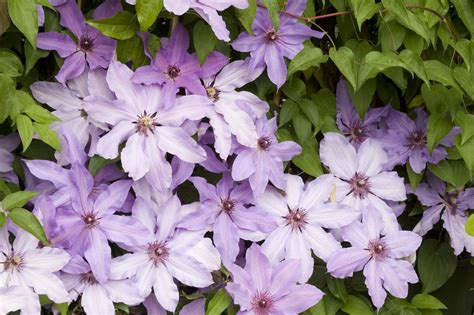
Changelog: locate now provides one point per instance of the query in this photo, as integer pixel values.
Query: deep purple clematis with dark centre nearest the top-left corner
(90, 48)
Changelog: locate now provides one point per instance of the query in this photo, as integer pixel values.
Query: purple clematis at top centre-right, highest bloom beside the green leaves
(269, 46)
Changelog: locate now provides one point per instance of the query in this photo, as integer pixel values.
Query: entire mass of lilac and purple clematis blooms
(173, 181)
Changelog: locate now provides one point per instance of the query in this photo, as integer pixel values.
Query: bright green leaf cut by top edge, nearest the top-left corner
(25, 17)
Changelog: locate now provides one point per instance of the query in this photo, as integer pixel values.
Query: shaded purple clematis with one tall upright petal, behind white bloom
(349, 122)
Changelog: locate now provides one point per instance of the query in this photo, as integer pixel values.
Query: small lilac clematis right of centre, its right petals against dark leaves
(263, 160)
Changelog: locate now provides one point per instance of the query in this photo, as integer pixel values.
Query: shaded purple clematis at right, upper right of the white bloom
(406, 140)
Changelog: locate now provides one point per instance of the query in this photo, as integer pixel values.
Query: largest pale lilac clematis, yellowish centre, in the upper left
(150, 131)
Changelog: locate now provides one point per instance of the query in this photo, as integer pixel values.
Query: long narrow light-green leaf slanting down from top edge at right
(407, 18)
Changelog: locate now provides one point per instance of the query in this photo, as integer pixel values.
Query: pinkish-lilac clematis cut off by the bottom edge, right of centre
(263, 288)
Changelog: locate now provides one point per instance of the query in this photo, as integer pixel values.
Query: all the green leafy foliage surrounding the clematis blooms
(408, 53)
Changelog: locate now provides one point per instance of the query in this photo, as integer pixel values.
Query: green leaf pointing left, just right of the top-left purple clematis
(121, 26)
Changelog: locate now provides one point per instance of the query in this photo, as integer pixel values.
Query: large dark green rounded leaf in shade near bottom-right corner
(436, 264)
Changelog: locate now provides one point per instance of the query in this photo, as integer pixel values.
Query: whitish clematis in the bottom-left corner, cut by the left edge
(27, 271)
